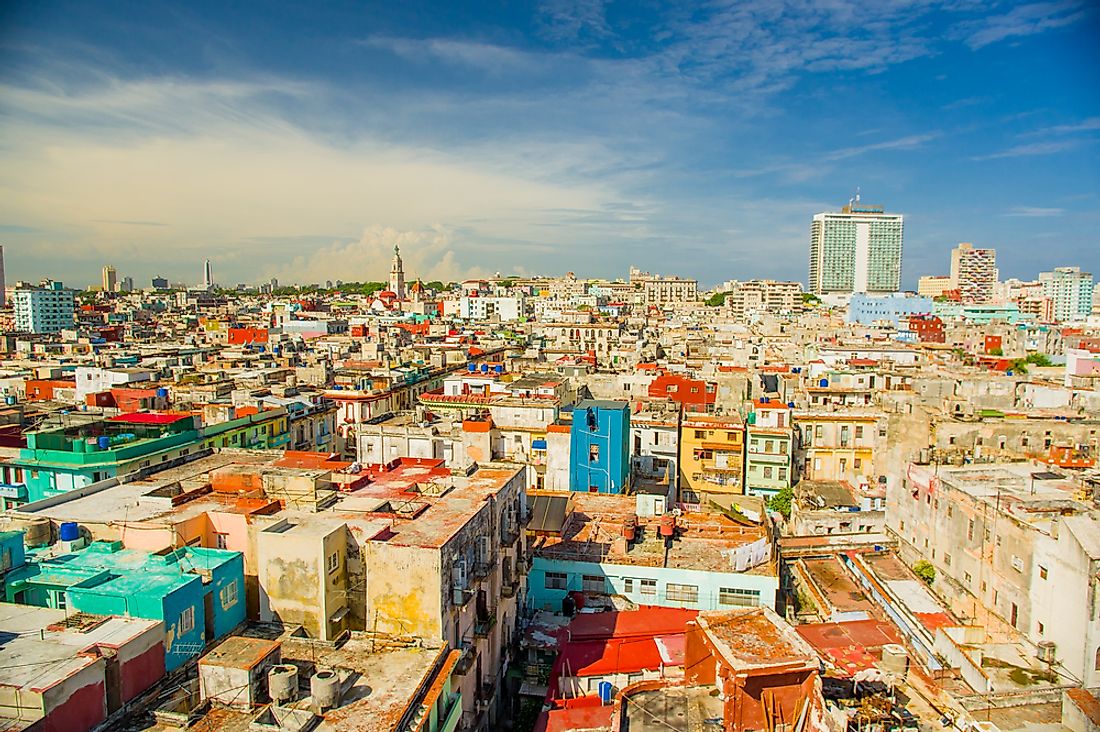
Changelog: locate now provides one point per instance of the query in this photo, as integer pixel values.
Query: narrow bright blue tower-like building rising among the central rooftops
(600, 447)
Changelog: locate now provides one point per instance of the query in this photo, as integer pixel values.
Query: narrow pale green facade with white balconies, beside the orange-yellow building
(769, 449)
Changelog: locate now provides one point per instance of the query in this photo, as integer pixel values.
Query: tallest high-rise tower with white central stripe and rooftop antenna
(857, 250)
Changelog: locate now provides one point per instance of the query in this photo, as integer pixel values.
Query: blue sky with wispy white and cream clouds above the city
(303, 144)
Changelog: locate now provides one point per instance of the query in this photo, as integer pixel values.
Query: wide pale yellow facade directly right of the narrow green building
(840, 446)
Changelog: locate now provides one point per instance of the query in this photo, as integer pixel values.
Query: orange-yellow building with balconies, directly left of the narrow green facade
(712, 455)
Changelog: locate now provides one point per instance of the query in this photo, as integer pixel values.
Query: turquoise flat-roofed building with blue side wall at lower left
(197, 593)
